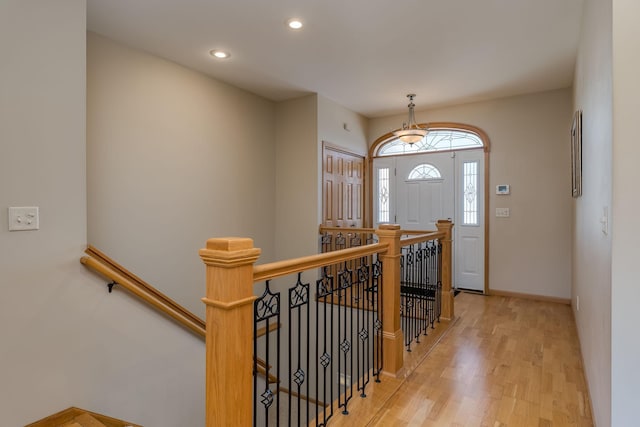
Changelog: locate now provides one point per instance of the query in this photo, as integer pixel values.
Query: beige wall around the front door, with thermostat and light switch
(530, 252)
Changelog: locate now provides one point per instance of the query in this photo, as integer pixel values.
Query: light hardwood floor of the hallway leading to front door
(504, 362)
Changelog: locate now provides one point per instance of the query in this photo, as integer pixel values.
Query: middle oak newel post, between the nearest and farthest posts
(392, 337)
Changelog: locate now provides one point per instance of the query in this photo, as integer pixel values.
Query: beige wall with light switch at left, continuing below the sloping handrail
(65, 340)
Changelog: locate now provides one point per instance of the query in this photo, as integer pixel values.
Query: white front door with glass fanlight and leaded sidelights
(433, 186)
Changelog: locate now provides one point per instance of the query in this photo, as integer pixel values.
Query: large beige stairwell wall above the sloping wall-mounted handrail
(174, 158)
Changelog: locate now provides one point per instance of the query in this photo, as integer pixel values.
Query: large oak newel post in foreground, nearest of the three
(229, 303)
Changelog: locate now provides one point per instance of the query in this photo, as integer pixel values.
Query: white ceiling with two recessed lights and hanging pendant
(363, 54)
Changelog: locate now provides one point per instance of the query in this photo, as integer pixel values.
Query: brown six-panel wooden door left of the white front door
(342, 188)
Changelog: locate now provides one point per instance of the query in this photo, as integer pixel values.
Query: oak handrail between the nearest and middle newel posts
(294, 265)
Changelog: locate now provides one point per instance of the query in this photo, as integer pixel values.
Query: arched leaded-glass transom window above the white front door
(436, 140)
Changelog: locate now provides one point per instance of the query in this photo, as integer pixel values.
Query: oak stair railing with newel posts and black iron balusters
(349, 276)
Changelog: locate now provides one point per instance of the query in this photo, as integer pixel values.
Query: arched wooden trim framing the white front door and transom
(373, 151)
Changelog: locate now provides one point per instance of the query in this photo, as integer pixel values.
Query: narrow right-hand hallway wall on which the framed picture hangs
(592, 247)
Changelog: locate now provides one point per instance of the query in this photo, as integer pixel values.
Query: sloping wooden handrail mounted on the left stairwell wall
(155, 299)
